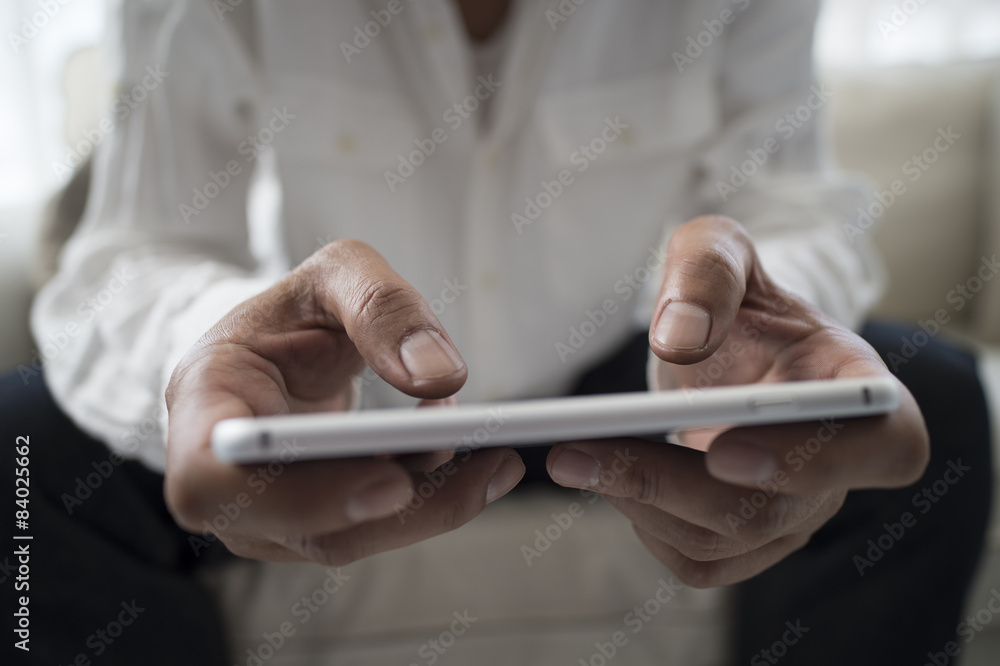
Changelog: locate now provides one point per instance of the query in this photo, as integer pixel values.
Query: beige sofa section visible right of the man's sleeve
(939, 235)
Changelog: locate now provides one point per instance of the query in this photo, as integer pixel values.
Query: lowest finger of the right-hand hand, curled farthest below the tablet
(701, 574)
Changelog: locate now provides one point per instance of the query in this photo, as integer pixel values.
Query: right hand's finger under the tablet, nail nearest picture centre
(671, 479)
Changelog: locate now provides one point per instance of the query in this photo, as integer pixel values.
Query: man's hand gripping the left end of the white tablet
(296, 348)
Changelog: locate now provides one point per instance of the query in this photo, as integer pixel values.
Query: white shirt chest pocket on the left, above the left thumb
(333, 160)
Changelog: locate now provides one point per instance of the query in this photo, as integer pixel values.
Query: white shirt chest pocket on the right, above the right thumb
(631, 148)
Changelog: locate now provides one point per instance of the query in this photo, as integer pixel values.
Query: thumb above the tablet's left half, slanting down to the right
(389, 322)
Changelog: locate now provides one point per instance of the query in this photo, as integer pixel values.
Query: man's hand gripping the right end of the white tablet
(719, 314)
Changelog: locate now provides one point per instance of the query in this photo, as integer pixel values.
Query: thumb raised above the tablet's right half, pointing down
(709, 263)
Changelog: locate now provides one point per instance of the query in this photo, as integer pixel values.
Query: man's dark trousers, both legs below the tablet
(113, 555)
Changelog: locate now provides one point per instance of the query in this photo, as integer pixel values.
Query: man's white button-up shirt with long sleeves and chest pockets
(533, 249)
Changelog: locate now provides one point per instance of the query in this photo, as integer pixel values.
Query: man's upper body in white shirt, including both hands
(526, 189)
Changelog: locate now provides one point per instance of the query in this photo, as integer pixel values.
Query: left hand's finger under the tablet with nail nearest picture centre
(461, 491)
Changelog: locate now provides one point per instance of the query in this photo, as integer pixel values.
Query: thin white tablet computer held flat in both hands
(546, 421)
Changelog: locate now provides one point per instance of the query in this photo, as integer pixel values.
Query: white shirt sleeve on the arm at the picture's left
(163, 249)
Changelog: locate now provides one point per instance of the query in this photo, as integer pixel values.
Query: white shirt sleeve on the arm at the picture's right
(768, 168)
